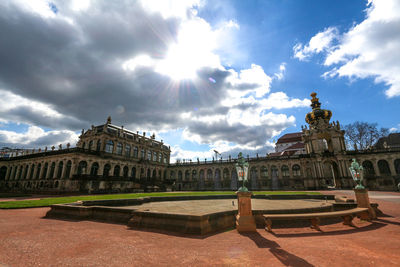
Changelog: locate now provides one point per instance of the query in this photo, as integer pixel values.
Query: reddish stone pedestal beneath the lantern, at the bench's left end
(245, 221)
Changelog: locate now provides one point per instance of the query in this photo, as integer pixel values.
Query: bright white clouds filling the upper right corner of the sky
(369, 49)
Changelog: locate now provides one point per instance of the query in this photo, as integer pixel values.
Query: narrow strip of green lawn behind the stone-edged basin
(45, 202)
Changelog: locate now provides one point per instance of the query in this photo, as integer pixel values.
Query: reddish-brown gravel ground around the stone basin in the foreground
(27, 239)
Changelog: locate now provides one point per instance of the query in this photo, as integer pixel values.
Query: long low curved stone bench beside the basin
(347, 216)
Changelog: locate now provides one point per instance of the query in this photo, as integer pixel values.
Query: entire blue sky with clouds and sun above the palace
(226, 75)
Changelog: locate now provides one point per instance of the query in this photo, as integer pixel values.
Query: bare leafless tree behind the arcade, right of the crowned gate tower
(362, 135)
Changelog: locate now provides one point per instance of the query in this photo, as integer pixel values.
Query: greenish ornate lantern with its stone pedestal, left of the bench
(245, 221)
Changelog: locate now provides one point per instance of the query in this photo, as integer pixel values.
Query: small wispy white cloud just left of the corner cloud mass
(322, 41)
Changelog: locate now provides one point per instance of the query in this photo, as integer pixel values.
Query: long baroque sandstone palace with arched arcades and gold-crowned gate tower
(109, 158)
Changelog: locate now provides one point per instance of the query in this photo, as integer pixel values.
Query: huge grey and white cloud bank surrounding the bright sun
(149, 66)
